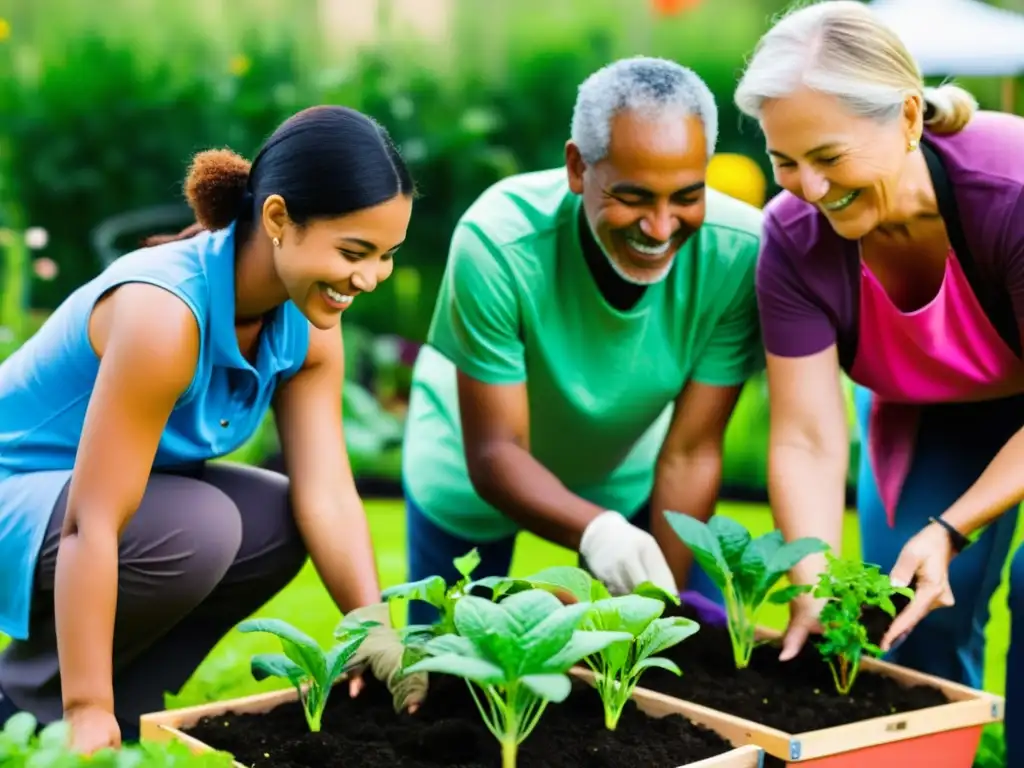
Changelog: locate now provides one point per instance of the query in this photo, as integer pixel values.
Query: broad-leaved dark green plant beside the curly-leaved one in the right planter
(745, 569)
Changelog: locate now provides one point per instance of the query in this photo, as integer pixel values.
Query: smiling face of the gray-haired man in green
(647, 197)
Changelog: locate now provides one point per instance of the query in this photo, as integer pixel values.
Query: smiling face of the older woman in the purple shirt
(852, 168)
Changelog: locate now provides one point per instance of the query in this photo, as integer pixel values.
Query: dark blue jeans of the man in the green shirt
(432, 549)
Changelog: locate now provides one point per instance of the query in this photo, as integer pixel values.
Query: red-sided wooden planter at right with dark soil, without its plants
(893, 717)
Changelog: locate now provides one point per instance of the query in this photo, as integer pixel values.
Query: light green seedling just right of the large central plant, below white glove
(619, 667)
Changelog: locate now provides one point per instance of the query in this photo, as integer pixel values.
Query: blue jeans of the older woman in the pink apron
(955, 445)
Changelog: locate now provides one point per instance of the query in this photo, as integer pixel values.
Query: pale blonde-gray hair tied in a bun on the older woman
(842, 49)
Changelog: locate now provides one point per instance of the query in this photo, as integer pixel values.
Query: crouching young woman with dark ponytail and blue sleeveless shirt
(125, 552)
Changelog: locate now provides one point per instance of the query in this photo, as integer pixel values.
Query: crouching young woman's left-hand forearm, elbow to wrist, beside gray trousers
(86, 595)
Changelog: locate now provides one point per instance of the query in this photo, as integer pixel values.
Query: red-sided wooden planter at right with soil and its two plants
(835, 706)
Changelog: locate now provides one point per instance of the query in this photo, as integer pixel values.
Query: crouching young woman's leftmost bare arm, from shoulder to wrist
(148, 342)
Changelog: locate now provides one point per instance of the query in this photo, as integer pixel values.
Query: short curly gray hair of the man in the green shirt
(644, 84)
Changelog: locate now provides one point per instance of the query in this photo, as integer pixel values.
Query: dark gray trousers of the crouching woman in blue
(206, 549)
